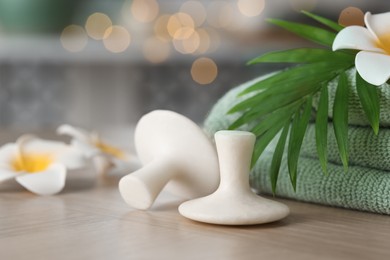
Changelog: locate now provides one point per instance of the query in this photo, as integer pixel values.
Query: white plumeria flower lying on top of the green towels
(373, 61)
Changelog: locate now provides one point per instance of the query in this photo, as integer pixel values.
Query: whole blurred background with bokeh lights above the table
(102, 64)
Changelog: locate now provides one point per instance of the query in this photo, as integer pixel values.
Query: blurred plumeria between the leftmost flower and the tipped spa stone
(107, 158)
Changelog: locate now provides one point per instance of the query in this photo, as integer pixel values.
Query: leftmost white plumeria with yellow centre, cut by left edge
(38, 165)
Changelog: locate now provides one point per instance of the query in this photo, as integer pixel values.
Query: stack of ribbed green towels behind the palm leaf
(366, 185)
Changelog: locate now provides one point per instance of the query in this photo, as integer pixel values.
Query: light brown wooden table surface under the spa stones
(89, 220)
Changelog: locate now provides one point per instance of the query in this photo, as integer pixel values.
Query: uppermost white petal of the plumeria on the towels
(378, 24)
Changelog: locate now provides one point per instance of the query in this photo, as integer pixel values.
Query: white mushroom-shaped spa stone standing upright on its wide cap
(234, 203)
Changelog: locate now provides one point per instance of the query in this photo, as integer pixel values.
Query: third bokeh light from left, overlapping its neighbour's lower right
(116, 39)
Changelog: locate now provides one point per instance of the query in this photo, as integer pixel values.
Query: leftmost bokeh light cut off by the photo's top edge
(145, 11)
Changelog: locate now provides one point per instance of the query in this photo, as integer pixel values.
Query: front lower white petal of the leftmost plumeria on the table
(48, 182)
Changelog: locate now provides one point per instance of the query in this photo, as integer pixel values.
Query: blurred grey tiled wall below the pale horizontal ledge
(44, 95)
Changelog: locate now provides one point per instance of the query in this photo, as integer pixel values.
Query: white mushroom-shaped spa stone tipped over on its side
(175, 152)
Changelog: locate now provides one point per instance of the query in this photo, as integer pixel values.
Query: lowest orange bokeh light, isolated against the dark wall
(204, 71)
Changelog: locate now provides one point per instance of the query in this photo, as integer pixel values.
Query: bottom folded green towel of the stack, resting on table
(361, 188)
